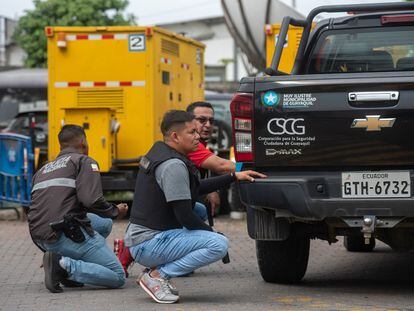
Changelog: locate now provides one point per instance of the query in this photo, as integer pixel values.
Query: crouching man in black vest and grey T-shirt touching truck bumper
(165, 234)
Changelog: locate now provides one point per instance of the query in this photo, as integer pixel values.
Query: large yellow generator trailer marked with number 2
(117, 83)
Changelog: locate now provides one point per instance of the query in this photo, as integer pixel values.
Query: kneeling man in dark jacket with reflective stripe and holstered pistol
(70, 219)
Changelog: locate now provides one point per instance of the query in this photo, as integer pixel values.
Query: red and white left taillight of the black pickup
(242, 120)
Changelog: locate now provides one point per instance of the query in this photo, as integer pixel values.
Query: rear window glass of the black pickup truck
(364, 50)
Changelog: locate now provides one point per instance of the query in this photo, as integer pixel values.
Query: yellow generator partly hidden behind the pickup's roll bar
(289, 49)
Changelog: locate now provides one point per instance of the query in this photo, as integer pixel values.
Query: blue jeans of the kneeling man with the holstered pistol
(92, 261)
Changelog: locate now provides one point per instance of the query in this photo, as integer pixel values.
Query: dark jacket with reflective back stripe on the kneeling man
(69, 185)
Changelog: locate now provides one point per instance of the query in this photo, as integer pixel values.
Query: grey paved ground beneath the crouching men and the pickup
(336, 280)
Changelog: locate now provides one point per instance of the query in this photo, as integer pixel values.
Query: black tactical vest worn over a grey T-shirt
(150, 208)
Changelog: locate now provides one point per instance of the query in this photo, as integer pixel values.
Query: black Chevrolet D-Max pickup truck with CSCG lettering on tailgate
(335, 137)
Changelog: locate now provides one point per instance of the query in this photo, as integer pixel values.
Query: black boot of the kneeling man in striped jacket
(54, 273)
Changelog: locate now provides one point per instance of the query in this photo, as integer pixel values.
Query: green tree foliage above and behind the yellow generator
(30, 33)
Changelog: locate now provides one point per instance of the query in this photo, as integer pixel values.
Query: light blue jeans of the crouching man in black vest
(180, 251)
